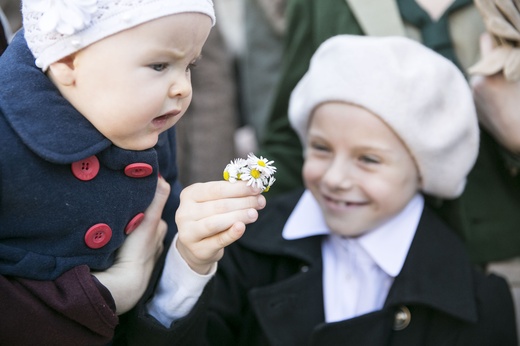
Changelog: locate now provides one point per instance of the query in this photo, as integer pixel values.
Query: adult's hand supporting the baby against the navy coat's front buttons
(128, 277)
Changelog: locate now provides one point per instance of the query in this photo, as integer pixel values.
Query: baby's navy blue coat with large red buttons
(50, 220)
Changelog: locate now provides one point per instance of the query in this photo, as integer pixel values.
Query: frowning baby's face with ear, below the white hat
(136, 84)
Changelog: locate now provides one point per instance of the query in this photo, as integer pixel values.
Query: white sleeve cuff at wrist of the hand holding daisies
(178, 290)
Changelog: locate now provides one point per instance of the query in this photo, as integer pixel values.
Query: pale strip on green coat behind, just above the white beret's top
(378, 17)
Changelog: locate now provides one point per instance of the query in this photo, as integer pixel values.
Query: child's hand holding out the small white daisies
(211, 216)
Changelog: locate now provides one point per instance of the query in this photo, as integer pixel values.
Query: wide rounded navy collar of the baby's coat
(42, 118)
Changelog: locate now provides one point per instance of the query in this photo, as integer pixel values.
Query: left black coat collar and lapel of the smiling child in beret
(288, 310)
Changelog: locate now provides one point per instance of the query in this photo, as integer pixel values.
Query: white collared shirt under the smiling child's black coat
(358, 272)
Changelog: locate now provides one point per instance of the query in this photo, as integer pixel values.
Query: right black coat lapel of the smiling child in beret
(443, 281)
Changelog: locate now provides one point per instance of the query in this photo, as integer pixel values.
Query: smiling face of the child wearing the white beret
(357, 168)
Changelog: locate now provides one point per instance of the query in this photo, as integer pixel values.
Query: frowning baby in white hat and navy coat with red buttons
(84, 116)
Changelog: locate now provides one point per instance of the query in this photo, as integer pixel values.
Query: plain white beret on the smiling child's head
(421, 95)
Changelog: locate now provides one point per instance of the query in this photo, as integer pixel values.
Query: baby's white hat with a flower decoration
(55, 29)
